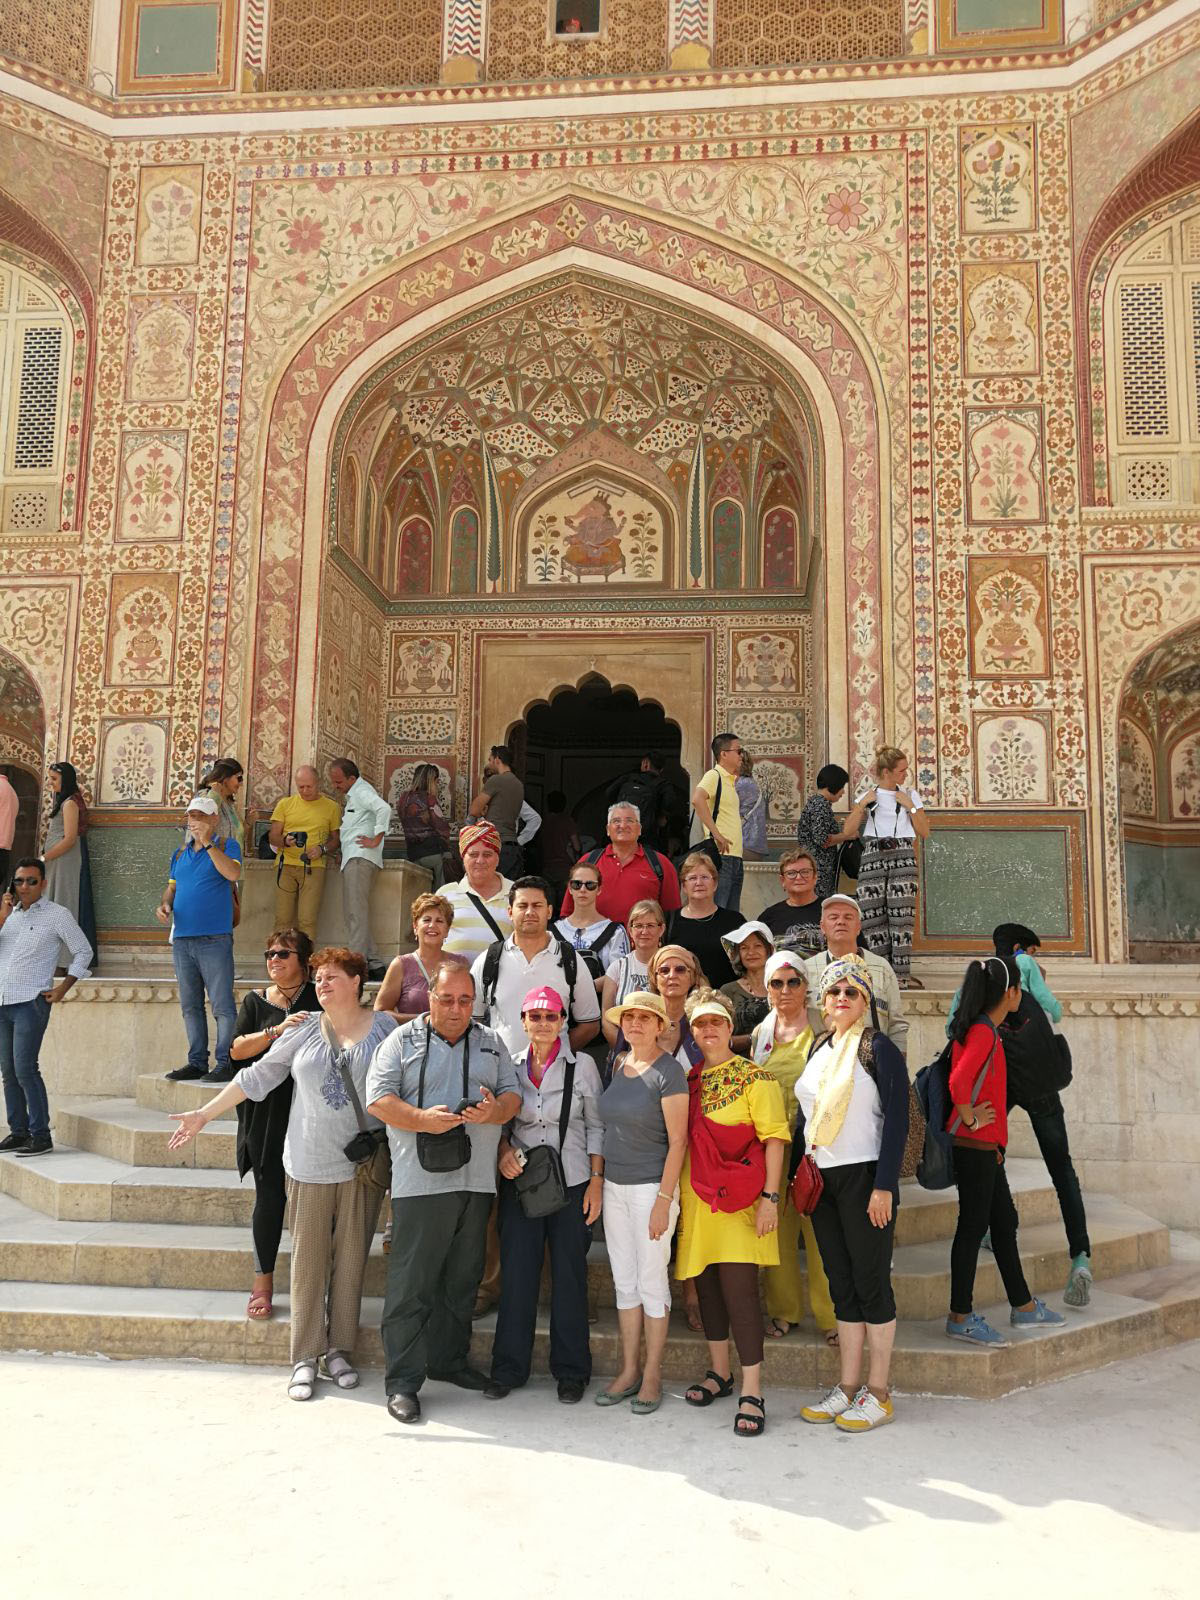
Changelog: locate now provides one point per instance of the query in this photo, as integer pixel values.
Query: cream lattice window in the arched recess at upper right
(1153, 362)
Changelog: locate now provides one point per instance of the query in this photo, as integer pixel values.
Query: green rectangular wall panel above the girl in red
(974, 879)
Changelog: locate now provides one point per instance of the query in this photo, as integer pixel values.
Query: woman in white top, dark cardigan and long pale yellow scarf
(855, 1121)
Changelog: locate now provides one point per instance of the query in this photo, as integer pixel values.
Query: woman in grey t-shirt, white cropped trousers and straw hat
(646, 1116)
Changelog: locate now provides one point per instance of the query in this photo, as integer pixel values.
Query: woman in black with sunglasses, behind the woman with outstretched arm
(263, 1126)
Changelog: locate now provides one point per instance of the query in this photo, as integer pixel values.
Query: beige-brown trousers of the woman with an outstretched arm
(332, 1228)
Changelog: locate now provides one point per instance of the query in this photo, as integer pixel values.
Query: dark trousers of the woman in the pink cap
(524, 1244)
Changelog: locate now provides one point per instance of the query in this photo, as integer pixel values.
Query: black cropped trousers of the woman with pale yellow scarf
(855, 1254)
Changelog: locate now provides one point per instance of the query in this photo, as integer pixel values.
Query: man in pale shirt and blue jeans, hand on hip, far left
(33, 930)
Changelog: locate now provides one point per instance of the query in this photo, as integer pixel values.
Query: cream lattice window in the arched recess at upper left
(36, 343)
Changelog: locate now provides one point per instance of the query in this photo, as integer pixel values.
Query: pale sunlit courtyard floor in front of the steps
(145, 1479)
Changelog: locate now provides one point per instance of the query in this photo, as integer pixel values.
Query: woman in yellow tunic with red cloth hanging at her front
(738, 1134)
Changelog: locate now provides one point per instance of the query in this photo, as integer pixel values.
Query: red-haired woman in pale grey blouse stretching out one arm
(334, 1206)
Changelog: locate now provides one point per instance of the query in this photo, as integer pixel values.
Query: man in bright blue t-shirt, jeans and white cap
(201, 900)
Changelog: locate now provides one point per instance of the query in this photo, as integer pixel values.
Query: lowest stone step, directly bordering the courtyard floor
(1127, 1318)
